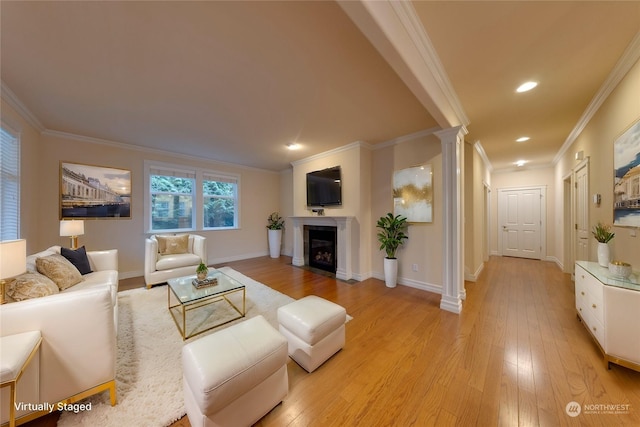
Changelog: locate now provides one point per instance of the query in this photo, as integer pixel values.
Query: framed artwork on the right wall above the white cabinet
(626, 166)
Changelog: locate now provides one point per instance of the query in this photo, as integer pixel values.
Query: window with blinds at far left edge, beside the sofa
(9, 185)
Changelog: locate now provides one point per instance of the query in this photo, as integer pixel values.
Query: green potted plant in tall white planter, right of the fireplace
(391, 235)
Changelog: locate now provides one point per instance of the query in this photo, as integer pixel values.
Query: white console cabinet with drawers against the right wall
(610, 309)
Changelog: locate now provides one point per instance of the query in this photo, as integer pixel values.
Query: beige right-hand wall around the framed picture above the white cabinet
(617, 113)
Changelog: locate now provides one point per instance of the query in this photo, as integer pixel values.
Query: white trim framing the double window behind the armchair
(198, 208)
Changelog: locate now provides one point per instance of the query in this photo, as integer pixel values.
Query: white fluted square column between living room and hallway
(453, 291)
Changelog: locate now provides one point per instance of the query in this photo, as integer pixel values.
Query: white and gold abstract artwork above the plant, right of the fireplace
(413, 193)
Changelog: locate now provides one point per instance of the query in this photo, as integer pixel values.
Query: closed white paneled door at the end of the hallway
(519, 222)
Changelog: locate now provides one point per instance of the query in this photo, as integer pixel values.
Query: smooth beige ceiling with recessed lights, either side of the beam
(237, 81)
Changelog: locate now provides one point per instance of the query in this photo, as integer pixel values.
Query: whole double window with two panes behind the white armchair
(182, 199)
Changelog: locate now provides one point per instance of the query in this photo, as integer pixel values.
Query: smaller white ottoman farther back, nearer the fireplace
(314, 328)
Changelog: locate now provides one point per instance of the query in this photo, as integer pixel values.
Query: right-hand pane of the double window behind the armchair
(220, 195)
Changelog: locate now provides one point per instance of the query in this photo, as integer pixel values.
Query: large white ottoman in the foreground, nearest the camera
(235, 376)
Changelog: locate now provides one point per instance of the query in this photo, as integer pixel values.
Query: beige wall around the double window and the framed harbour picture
(259, 190)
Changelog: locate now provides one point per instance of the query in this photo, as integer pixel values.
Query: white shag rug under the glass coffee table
(149, 367)
